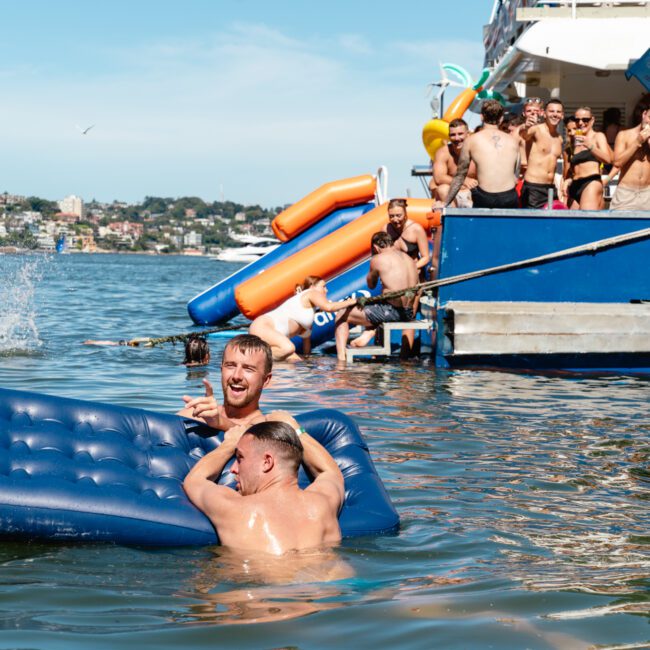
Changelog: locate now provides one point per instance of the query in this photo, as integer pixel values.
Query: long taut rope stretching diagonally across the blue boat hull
(589, 248)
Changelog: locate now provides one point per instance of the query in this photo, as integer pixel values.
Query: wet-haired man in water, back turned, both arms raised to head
(269, 512)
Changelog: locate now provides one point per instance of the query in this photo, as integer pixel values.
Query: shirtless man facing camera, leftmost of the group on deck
(445, 164)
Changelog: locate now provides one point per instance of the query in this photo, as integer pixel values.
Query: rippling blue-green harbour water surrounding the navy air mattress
(524, 499)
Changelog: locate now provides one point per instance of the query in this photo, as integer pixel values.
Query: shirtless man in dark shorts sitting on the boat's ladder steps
(396, 271)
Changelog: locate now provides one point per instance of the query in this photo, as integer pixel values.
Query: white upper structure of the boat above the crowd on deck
(577, 50)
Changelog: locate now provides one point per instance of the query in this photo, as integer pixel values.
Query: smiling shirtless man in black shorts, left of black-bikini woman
(544, 143)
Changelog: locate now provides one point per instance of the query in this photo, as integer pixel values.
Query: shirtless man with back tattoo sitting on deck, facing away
(495, 154)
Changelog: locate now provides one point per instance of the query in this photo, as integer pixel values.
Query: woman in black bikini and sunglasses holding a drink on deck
(584, 185)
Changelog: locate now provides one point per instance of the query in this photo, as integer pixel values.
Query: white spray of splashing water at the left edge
(20, 277)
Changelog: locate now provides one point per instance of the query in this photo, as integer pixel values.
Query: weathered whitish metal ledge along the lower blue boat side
(471, 328)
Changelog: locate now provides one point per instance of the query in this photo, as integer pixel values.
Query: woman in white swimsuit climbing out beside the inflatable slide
(295, 316)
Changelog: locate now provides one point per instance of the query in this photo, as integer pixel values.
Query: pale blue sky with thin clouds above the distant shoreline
(267, 99)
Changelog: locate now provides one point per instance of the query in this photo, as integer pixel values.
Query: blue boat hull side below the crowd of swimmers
(481, 239)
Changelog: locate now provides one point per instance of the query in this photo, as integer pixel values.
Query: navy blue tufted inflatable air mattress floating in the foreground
(91, 472)
